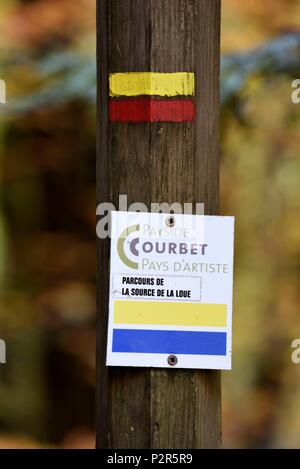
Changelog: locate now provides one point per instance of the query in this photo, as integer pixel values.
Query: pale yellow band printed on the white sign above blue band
(170, 313)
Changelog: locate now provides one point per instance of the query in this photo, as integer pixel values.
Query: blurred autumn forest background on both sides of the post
(47, 221)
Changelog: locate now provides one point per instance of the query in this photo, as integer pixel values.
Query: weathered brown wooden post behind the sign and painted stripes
(157, 162)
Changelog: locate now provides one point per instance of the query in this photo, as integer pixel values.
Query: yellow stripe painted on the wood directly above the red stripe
(152, 83)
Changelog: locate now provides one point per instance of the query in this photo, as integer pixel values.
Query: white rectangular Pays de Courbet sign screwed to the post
(170, 299)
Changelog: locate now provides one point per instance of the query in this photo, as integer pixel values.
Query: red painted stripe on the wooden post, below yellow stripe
(152, 110)
